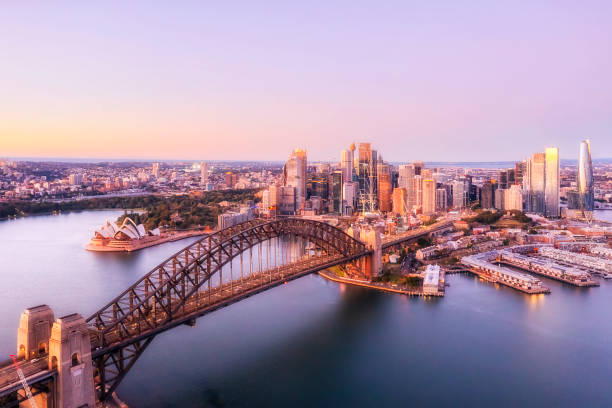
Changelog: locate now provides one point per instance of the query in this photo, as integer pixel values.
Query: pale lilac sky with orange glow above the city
(408, 78)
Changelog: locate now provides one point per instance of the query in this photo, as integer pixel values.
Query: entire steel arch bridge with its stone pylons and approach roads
(76, 362)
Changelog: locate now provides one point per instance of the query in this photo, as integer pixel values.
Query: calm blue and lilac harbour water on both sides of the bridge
(317, 343)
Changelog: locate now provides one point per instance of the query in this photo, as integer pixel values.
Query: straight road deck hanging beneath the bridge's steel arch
(210, 300)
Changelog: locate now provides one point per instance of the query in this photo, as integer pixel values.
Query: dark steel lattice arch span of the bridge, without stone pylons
(171, 294)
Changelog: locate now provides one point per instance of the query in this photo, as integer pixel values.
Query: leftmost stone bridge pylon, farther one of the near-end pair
(34, 332)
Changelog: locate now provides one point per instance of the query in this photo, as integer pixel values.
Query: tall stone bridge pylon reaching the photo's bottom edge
(70, 353)
